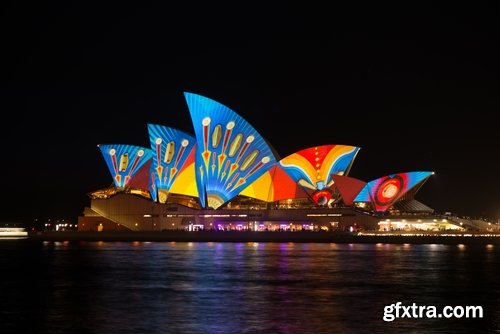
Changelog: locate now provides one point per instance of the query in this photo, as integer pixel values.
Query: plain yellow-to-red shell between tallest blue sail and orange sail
(274, 185)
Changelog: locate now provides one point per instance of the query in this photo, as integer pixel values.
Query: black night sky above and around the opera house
(416, 87)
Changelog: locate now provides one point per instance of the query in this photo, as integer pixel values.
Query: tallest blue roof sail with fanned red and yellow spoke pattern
(230, 153)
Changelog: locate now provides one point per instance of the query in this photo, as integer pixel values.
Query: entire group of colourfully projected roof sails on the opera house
(227, 158)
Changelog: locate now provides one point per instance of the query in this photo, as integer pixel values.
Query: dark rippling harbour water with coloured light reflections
(156, 287)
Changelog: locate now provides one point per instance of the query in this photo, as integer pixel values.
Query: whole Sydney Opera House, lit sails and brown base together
(227, 177)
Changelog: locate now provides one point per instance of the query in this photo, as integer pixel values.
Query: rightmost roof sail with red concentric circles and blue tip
(385, 191)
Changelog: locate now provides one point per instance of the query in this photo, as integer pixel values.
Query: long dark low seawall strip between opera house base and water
(267, 236)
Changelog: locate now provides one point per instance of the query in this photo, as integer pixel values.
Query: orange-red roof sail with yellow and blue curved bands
(312, 168)
